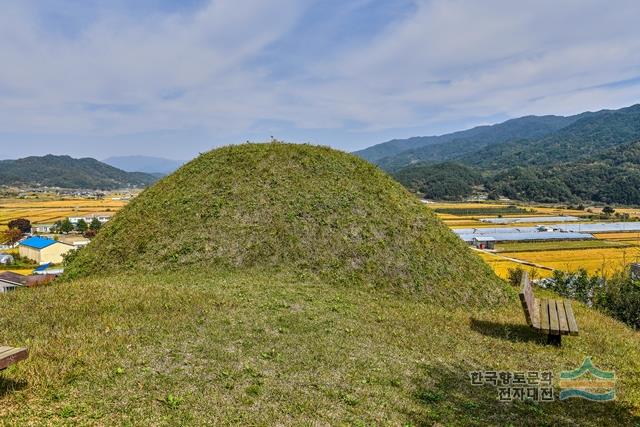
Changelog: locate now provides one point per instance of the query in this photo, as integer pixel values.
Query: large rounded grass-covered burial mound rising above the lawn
(290, 207)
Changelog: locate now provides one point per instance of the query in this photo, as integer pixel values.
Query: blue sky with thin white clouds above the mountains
(173, 78)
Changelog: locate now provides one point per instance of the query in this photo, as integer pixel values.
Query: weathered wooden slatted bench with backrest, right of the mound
(552, 317)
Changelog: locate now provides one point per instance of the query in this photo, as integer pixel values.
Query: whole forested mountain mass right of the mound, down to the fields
(593, 156)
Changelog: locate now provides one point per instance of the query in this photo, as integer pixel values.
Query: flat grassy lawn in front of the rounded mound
(262, 349)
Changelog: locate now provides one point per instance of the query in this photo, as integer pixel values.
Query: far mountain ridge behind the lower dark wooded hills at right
(531, 139)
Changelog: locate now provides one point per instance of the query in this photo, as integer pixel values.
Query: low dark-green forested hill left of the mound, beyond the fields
(67, 172)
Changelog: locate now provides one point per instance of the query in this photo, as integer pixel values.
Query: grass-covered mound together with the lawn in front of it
(289, 285)
